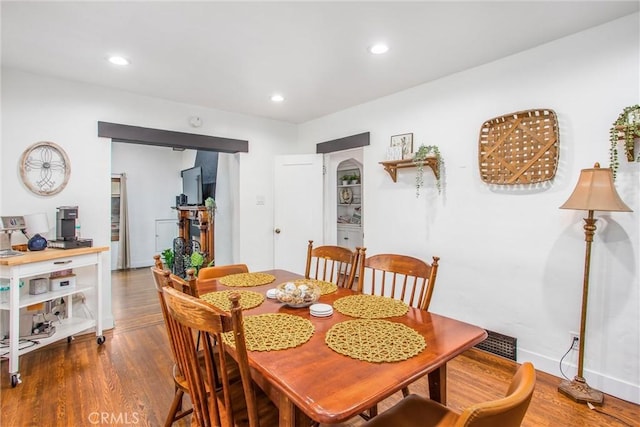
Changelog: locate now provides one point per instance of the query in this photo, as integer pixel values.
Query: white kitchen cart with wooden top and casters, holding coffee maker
(42, 263)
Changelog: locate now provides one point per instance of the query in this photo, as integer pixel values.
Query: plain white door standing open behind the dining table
(298, 209)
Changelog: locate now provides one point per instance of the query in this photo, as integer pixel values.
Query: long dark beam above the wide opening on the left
(167, 138)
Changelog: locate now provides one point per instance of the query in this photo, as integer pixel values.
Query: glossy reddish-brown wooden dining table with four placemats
(313, 382)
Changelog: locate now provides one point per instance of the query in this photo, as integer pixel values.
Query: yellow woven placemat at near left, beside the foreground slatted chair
(273, 331)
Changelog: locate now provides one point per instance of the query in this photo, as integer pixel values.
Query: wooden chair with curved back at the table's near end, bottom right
(509, 411)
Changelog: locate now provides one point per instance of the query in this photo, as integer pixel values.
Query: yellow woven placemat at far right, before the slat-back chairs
(370, 306)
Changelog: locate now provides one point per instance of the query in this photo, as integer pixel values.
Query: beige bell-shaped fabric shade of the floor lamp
(595, 191)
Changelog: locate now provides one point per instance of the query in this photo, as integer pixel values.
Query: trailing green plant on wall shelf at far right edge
(627, 128)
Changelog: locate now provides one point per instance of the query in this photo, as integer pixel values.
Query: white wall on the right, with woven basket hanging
(511, 261)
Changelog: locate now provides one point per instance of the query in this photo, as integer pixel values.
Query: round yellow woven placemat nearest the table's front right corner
(375, 340)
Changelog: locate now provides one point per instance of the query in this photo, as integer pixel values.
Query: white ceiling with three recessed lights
(233, 56)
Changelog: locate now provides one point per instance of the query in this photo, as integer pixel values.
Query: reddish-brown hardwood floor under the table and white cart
(127, 381)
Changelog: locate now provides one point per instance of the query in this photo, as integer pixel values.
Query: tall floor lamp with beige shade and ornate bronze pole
(594, 191)
